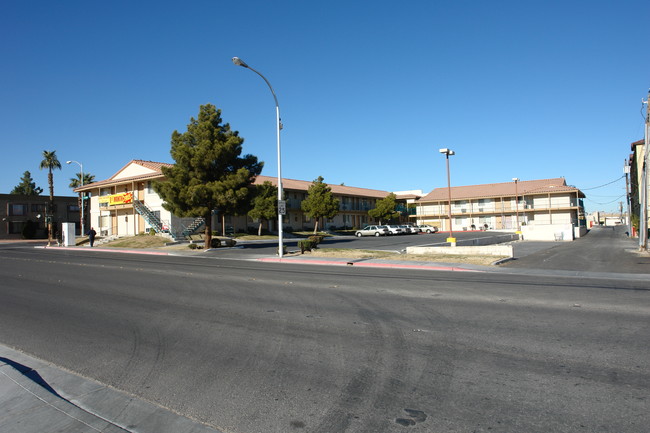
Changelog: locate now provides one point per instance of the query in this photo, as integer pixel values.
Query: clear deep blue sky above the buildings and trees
(368, 91)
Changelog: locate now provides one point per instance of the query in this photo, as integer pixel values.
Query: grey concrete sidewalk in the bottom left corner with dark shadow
(36, 397)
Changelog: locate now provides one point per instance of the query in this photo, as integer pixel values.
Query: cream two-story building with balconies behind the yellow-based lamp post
(508, 205)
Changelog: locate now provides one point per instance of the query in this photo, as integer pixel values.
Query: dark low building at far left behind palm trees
(16, 210)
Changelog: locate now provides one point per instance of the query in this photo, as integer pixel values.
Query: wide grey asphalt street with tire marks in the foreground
(255, 347)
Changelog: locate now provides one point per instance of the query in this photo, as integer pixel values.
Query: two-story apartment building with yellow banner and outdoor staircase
(126, 204)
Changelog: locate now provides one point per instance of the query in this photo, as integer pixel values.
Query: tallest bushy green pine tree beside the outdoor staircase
(209, 173)
